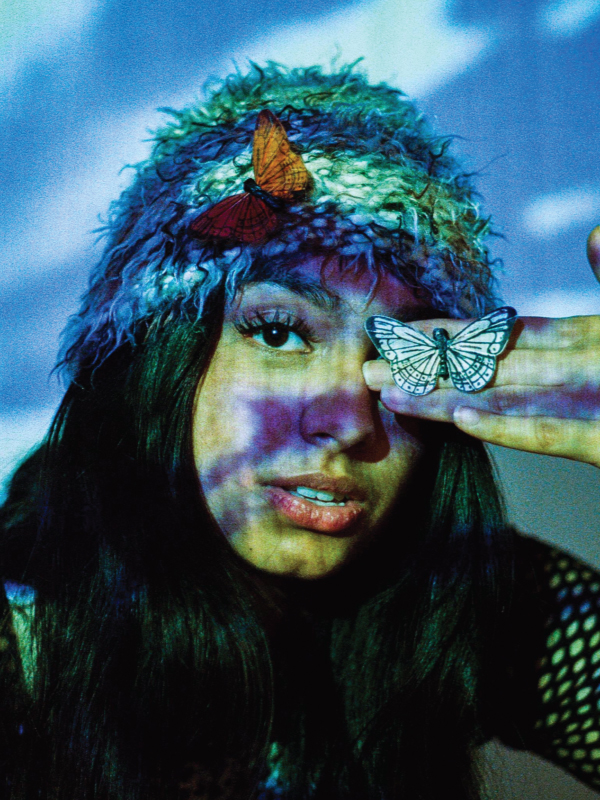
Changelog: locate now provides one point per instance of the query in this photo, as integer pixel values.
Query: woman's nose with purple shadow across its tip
(340, 414)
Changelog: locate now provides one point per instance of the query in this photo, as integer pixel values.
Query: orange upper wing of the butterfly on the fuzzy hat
(277, 169)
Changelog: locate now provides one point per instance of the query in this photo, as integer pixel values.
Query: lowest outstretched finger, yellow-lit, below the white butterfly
(574, 439)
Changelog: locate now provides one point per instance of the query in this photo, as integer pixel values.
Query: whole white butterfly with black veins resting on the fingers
(468, 359)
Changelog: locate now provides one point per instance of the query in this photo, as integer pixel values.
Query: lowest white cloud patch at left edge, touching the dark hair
(19, 433)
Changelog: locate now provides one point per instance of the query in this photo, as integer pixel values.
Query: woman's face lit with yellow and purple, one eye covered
(298, 461)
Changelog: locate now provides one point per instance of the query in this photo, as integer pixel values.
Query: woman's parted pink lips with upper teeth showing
(334, 506)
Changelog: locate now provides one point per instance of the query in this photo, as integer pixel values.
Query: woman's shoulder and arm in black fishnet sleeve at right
(554, 665)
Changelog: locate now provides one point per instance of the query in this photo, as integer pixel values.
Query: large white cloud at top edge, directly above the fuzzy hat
(412, 44)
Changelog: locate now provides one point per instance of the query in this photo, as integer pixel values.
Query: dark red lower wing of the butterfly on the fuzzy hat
(242, 217)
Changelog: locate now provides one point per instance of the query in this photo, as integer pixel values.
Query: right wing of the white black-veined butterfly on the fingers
(472, 353)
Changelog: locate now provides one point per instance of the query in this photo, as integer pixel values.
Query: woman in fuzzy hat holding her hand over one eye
(255, 574)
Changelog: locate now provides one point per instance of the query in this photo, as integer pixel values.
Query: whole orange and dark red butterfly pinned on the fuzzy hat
(279, 175)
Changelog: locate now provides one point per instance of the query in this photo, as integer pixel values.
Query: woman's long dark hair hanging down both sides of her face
(158, 666)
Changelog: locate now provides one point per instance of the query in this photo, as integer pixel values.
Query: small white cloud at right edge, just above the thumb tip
(552, 214)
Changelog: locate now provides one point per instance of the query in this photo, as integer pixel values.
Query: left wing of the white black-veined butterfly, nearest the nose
(414, 357)
